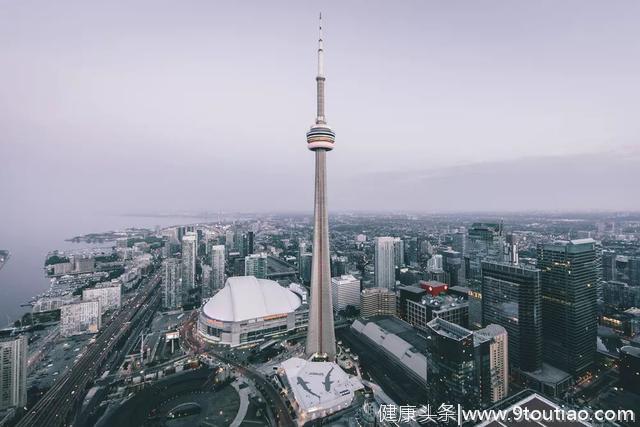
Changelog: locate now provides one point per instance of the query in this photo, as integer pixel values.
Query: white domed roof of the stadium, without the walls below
(246, 297)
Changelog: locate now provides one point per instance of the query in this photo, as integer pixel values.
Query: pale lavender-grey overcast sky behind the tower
(166, 106)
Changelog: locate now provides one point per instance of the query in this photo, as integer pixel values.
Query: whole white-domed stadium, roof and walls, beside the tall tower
(249, 310)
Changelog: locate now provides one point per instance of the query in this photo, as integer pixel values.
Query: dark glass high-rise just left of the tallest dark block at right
(511, 298)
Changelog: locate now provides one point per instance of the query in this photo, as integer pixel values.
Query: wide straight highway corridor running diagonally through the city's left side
(58, 403)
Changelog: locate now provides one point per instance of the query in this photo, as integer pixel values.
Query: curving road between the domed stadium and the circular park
(188, 336)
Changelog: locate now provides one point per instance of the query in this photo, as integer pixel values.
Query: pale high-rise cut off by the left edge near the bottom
(13, 372)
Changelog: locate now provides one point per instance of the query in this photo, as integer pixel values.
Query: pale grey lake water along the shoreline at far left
(22, 277)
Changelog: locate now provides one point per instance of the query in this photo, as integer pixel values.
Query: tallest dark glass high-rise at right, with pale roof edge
(569, 313)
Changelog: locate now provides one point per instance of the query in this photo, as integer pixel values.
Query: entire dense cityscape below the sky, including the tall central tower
(336, 318)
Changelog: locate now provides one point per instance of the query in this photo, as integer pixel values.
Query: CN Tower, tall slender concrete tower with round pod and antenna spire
(321, 340)
